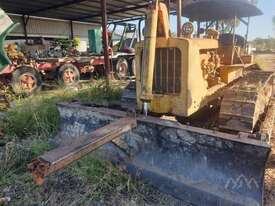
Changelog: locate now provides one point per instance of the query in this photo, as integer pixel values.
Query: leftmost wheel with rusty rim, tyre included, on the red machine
(26, 80)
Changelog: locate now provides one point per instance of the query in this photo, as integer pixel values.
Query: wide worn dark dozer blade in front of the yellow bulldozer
(199, 166)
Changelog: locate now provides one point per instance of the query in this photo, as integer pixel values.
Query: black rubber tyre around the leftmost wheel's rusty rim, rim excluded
(15, 81)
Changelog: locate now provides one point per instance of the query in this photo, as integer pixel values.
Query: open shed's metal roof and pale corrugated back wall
(75, 13)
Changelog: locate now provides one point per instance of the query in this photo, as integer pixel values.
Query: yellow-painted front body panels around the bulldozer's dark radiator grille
(195, 92)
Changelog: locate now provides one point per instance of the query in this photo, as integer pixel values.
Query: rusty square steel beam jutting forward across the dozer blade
(61, 157)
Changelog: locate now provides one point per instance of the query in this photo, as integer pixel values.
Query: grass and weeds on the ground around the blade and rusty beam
(29, 127)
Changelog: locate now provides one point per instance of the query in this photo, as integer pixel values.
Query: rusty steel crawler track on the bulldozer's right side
(245, 102)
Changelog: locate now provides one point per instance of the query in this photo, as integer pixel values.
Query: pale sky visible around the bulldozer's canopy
(260, 26)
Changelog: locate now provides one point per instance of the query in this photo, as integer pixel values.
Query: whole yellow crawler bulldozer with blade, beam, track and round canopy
(156, 135)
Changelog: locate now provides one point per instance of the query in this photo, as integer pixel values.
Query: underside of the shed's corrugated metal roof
(76, 10)
